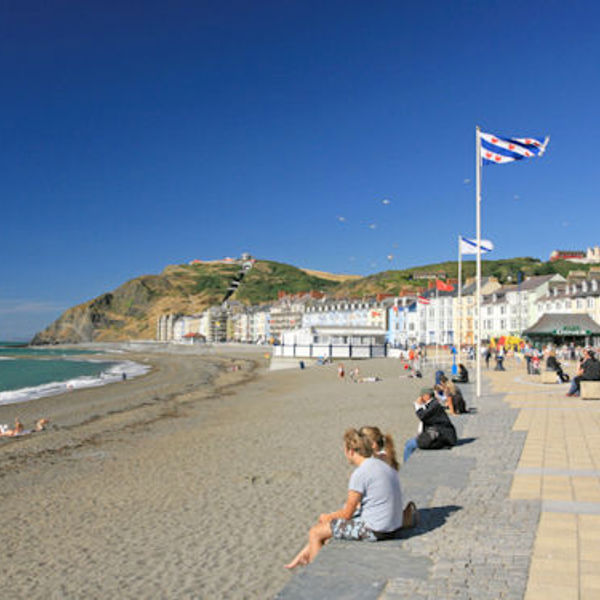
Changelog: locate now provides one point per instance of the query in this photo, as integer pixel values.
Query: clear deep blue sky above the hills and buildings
(331, 135)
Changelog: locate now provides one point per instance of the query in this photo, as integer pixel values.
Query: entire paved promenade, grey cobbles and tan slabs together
(512, 512)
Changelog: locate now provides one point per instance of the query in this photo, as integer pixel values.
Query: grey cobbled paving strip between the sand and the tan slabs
(472, 541)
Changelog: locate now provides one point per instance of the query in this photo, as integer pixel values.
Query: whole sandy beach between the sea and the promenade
(193, 481)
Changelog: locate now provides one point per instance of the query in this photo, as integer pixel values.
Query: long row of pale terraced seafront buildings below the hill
(432, 317)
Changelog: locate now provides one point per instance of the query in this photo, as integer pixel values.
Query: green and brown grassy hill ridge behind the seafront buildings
(131, 311)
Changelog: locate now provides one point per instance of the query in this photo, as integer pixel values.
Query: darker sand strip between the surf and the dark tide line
(89, 413)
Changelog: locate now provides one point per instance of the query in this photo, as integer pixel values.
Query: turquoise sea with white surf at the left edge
(28, 372)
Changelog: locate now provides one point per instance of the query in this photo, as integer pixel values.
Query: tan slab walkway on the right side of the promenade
(560, 467)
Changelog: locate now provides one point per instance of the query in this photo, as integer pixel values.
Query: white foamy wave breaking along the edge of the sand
(112, 374)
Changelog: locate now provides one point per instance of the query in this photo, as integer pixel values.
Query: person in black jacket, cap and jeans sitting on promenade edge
(436, 429)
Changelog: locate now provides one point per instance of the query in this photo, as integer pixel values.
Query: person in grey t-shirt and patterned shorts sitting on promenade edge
(373, 485)
